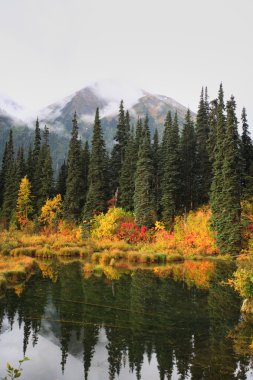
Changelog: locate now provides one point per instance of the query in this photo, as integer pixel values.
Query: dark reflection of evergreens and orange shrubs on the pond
(191, 324)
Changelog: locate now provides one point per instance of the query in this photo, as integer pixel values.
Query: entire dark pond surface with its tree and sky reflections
(136, 326)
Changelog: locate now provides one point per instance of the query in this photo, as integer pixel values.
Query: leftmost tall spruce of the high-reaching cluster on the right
(202, 159)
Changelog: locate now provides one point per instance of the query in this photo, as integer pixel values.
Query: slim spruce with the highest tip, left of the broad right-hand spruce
(216, 196)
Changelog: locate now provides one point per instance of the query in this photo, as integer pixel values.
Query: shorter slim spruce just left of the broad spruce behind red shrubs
(127, 175)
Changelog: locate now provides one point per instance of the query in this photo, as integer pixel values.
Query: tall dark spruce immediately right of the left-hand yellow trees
(74, 197)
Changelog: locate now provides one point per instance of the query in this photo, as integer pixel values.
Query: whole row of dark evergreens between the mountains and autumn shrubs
(158, 178)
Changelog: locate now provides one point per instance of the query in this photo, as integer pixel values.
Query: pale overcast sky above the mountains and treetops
(51, 48)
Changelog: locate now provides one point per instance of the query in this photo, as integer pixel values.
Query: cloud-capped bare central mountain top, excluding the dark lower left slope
(85, 101)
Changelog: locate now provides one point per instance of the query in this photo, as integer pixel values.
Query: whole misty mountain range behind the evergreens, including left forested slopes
(58, 116)
